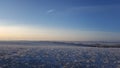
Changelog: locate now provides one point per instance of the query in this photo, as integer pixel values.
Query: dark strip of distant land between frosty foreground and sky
(57, 43)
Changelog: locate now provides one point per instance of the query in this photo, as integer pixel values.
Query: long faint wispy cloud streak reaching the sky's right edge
(90, 9)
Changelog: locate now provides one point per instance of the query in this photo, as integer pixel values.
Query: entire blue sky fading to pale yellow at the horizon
(66, 20)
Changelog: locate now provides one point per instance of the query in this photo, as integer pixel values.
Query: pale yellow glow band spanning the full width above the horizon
(34, 33)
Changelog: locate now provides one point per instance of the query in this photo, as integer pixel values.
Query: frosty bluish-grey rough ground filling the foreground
(18, 56)
